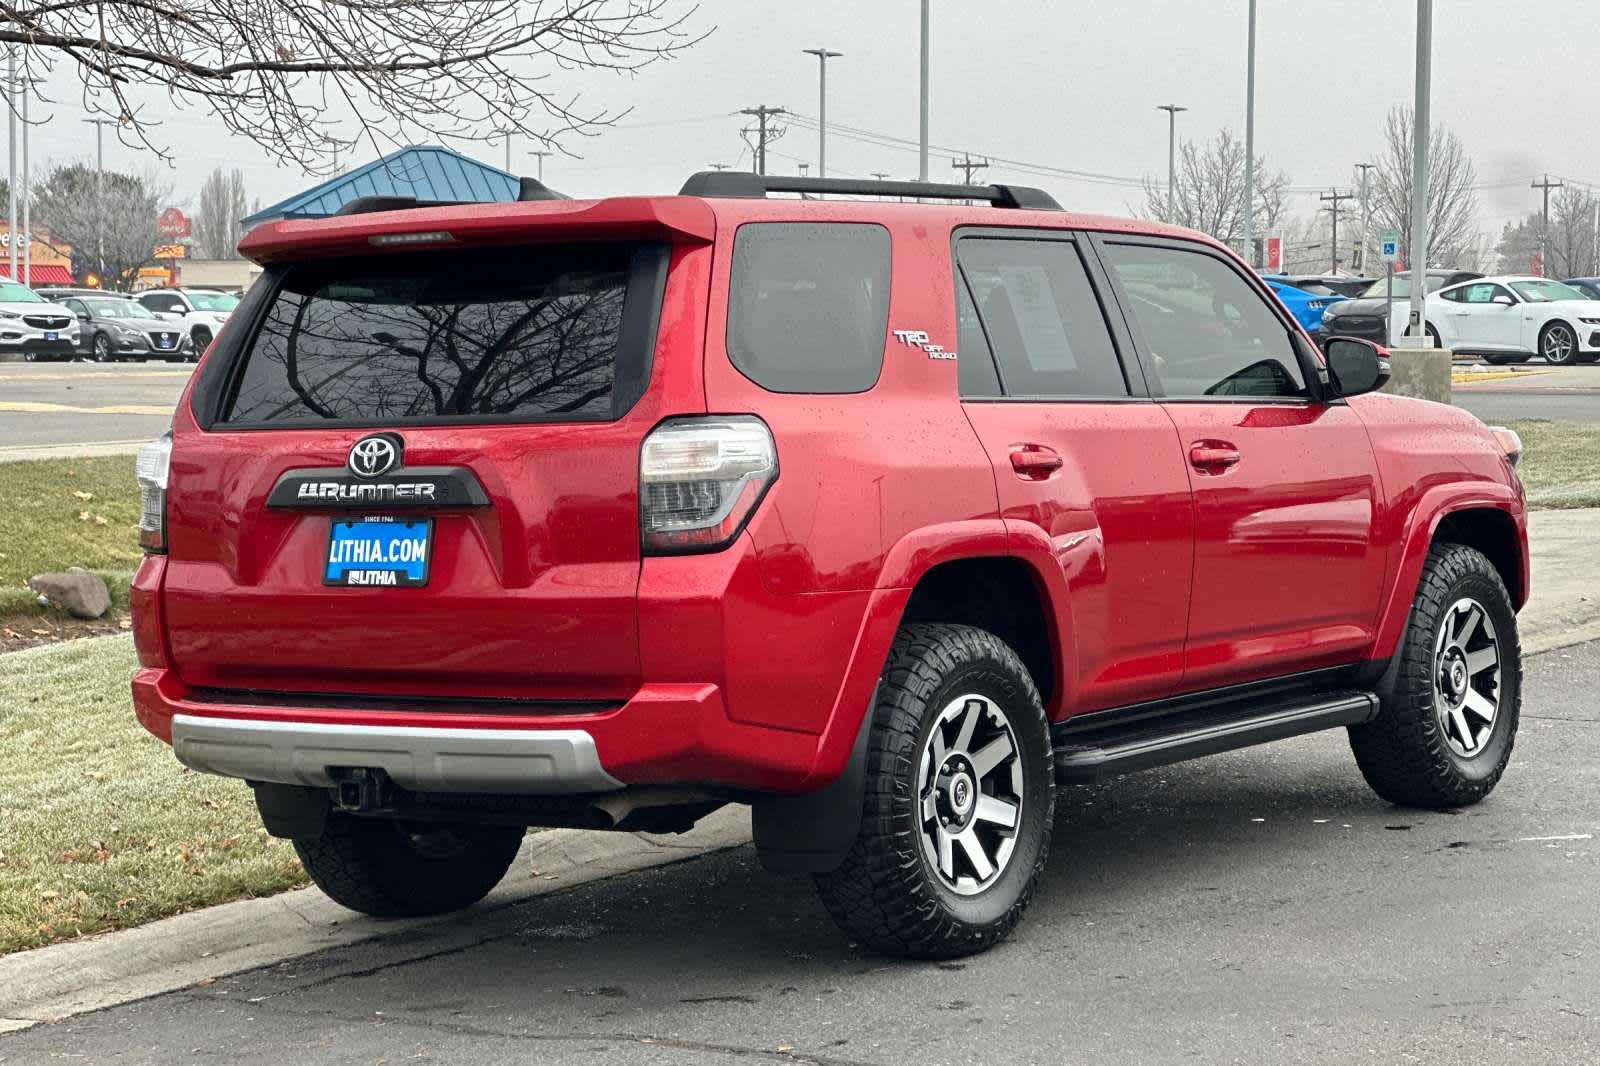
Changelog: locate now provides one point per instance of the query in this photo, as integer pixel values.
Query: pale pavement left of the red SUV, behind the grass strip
(66, 407)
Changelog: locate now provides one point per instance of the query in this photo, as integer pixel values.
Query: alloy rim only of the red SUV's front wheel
(1466, 678)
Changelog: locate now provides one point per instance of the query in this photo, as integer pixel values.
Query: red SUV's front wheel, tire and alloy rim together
(1444, 734)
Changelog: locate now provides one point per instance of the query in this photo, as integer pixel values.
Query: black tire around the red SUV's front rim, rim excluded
(1404, 753)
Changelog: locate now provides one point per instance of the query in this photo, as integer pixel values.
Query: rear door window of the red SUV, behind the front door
(1041, 318)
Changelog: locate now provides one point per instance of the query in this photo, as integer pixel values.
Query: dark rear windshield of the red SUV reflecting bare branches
(535, 334)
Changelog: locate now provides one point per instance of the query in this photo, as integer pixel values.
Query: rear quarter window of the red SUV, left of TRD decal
(810, 305)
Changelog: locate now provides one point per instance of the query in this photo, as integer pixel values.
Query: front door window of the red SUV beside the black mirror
(1207, 331)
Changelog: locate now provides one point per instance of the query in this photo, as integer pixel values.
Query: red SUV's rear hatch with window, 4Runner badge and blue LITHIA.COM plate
(412, 471)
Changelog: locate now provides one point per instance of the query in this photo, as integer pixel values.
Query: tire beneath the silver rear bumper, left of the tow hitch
(378, 868)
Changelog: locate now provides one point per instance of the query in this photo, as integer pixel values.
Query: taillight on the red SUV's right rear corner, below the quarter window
(700, 481)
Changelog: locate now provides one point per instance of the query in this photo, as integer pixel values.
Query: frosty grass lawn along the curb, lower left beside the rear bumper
(100, 827)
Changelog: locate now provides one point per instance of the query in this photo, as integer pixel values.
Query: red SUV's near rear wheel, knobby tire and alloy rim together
(959, 799)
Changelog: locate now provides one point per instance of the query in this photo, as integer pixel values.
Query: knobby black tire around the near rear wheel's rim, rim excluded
(886, 894)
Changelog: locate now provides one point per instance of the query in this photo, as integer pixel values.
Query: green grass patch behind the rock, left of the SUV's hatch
(68, 513)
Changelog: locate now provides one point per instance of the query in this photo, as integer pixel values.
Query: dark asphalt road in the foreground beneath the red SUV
(1260, 907)
